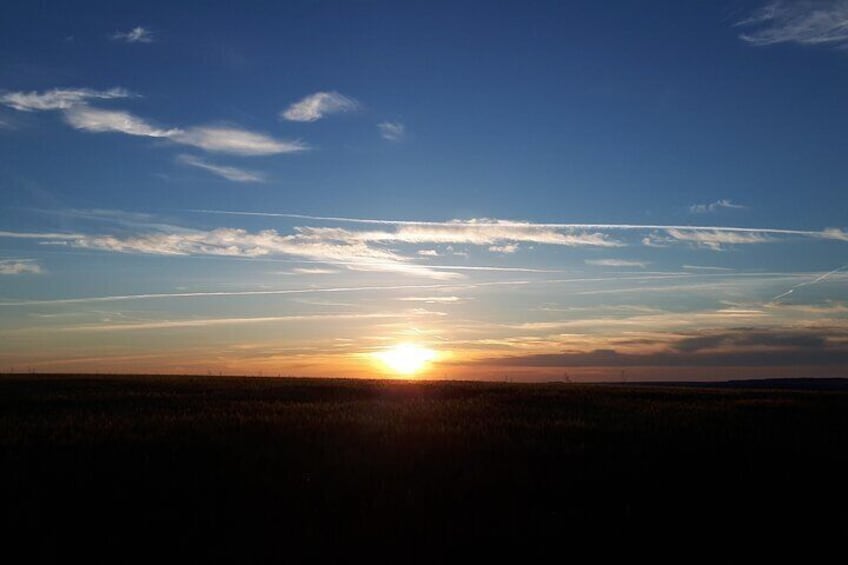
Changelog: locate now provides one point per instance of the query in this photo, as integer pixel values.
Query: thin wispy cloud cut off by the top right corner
(804, 22)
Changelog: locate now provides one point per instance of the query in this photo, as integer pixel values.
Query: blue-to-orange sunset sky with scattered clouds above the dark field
(527, 191)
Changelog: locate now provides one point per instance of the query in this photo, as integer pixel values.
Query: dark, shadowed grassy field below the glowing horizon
(236, 470)
